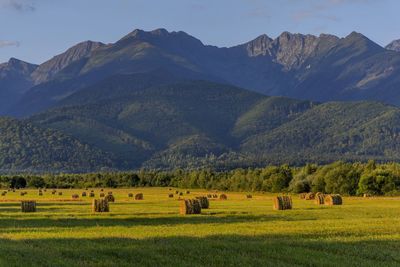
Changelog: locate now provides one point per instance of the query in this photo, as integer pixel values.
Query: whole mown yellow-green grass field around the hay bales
(235, 232)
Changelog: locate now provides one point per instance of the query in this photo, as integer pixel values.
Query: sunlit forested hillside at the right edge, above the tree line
(331, 131)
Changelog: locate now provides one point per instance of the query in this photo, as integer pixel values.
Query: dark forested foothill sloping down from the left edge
(24, 146)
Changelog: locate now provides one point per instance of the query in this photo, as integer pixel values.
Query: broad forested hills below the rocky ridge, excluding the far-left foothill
(197, 124)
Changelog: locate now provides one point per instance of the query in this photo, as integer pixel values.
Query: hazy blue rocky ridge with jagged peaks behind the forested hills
(321, 68)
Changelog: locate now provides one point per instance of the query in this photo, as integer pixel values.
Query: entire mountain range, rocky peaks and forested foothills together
(164, 100)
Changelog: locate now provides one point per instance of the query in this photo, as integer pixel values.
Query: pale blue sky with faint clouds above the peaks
(35, 30)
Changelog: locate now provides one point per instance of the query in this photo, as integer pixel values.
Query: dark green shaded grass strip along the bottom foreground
(216, 250)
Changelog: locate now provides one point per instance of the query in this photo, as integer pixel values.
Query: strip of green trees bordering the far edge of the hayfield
(338, 177)
